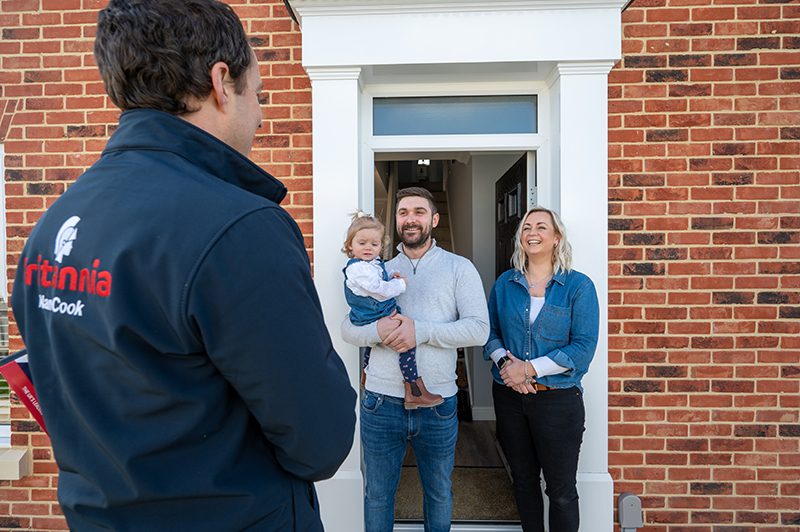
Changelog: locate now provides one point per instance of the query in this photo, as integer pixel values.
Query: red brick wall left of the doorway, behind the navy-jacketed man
(61, 124)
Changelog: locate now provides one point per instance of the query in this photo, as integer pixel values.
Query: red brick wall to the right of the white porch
(704, 189)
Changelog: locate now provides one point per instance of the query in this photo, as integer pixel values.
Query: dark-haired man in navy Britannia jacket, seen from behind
(176, 340)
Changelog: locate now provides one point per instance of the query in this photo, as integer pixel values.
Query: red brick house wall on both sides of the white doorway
(704, 132)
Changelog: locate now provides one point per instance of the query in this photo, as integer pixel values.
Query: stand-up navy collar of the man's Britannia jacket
(149, 129)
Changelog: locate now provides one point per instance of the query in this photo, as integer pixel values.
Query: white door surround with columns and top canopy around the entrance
(355, 49)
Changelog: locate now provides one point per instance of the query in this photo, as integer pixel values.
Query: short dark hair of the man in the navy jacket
(158, 54)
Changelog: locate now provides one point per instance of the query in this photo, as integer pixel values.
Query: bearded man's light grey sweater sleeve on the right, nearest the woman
(472, 326)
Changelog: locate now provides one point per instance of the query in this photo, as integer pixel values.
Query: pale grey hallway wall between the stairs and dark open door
(486, 170)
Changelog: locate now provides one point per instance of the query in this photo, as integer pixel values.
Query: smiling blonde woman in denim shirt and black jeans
(539, 363)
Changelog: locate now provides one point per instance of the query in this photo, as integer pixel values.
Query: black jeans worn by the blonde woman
(542, 432)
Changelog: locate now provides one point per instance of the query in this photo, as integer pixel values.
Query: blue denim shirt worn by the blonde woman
(565, 330)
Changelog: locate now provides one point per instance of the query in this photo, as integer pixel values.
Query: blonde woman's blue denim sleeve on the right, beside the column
(584, 328)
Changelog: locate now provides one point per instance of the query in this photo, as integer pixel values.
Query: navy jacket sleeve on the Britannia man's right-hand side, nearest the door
(253, 303)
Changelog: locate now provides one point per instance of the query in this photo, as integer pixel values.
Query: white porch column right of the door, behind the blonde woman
(580, 193)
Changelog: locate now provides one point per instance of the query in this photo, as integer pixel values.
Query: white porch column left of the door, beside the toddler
(335, 129)
